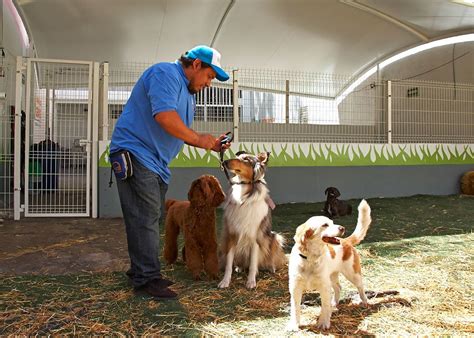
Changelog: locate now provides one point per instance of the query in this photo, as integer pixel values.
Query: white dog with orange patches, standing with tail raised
(318, 257)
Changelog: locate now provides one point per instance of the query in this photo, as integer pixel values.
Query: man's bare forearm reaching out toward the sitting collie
(173, 125)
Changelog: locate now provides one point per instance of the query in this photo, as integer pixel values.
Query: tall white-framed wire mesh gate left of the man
(58, 138)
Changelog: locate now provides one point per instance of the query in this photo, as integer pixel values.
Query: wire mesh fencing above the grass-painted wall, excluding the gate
(284, 106)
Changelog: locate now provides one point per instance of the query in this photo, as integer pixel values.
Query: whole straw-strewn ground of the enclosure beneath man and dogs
(67, 276)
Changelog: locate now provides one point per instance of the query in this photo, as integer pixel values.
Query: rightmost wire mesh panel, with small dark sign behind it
(432, 112)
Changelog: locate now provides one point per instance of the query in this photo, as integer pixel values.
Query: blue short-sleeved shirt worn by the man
(162, 87)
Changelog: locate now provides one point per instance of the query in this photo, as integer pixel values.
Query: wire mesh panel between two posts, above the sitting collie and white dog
(279, 106)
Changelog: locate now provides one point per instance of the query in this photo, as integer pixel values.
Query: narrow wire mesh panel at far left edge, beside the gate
(7, 79)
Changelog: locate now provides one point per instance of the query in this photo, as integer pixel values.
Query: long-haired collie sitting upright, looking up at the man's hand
(247, 239)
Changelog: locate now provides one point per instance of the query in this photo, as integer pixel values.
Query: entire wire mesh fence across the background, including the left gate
(258, 105)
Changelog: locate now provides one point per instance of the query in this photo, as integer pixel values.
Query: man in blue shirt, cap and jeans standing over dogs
(152, 128)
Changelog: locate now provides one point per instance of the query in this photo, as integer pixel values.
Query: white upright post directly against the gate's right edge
(95, 137)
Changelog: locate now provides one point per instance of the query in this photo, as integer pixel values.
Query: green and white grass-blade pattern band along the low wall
(321, 154)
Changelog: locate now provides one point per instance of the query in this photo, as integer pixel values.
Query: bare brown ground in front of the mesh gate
(59, 246)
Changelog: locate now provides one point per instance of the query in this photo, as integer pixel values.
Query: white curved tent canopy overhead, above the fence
(328, 36)
